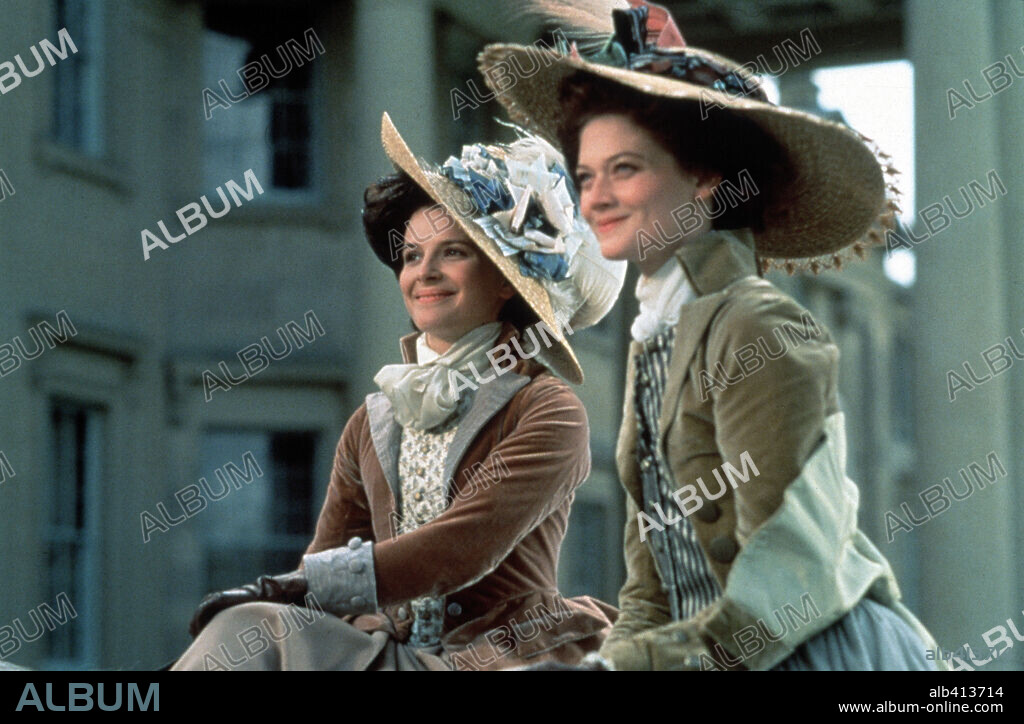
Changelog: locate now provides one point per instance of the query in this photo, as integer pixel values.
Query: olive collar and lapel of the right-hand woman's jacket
(712, 264)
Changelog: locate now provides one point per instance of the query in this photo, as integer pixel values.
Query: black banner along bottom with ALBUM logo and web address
(305, 693)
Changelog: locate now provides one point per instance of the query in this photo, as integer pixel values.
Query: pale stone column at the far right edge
(961, 310)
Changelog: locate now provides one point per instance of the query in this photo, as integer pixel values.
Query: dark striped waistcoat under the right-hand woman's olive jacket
(686, 573)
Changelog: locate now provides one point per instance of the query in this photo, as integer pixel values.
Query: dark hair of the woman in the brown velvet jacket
(389, 205)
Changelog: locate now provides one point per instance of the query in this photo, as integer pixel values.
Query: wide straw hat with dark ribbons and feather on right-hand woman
(839, 199)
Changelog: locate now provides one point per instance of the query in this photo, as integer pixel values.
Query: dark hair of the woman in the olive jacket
(704, 141)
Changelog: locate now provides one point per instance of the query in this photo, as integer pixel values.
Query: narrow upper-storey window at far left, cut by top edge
(77, 97)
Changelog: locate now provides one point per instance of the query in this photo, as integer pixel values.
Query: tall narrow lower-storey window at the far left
(72, 540)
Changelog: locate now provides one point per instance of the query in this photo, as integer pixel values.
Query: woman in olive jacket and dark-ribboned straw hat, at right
(742, 545)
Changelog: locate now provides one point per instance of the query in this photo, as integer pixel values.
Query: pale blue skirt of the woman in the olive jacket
(871, 637)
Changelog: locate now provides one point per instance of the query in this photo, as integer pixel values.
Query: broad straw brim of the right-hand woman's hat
(837, 192)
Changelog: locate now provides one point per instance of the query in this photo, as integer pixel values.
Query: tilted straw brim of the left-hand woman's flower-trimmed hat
(461, 207)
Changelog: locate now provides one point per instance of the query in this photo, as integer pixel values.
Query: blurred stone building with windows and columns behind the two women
(151, 114)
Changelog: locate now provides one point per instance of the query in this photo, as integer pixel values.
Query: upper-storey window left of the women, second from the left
(259, 104)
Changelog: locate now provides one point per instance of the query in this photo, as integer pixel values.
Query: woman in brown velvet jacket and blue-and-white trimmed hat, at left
(438, 545)
